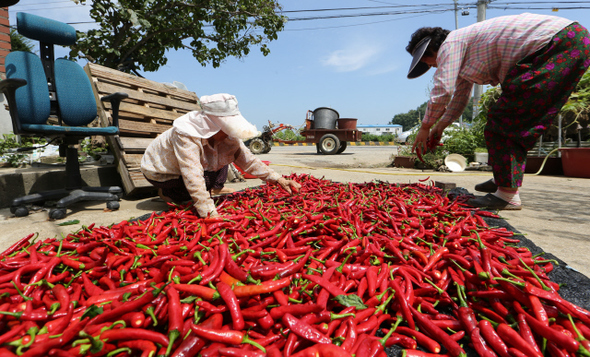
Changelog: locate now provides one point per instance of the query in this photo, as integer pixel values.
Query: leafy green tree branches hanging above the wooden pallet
(135, 34)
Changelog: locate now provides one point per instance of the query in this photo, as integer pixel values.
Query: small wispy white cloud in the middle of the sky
(352, 58)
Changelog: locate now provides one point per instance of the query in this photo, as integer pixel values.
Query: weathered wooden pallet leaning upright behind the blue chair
(150, 110)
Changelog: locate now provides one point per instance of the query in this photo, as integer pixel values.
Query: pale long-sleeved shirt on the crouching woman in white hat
(172, 155)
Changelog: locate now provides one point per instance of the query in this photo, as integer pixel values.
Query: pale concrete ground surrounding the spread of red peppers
(555, 214)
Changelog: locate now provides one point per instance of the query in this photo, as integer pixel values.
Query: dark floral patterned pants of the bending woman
(533, 92)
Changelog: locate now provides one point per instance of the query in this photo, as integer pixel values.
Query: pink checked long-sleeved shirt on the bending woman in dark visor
(483, 53)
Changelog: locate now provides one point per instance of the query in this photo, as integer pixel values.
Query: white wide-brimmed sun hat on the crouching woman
(218, 112)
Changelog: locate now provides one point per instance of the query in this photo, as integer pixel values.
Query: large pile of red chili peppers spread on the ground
(335, 270)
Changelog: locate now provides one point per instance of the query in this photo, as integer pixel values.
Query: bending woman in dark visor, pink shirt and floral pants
(537, 60)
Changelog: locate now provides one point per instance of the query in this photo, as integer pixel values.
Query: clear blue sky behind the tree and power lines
(355, 65)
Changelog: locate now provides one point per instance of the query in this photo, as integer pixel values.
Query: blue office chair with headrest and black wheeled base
(38, 88)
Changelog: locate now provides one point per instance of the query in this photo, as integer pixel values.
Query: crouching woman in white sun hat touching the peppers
(180, 161)
